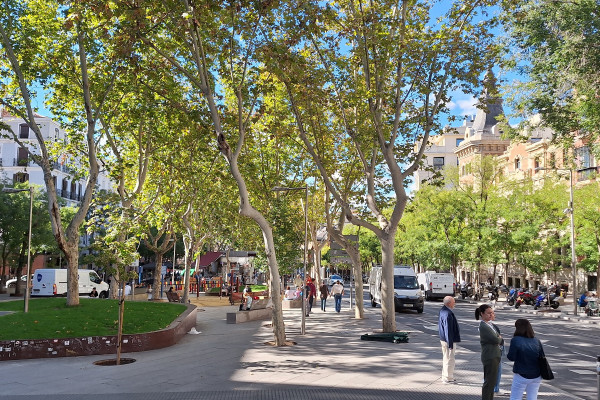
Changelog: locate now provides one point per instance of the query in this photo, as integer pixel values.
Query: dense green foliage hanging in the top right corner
(554, 44)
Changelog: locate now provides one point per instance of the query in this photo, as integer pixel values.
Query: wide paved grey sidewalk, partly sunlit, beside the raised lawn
(227, 361)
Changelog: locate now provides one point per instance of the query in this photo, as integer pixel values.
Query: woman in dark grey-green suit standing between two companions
(491, 353)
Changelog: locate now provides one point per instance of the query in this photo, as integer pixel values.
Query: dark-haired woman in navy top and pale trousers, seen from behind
(525, 350)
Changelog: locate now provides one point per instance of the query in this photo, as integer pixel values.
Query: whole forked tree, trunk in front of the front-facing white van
(386, 70)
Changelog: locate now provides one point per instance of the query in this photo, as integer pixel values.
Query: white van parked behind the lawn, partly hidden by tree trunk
(53, 282)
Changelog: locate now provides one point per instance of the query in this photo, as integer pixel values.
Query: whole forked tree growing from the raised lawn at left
(83, 60)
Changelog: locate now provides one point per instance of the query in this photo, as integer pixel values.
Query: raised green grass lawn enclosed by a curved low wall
(50, 318)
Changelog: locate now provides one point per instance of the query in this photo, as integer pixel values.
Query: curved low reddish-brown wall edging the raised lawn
(95, 345)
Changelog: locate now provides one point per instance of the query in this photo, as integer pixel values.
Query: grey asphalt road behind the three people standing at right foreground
(571, 347)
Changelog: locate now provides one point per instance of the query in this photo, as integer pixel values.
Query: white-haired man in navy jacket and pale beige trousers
(449, 336)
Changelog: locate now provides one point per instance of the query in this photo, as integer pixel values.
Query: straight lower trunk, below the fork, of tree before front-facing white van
(388, 311)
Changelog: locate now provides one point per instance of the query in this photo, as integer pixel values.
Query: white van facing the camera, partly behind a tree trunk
(407, 293)
